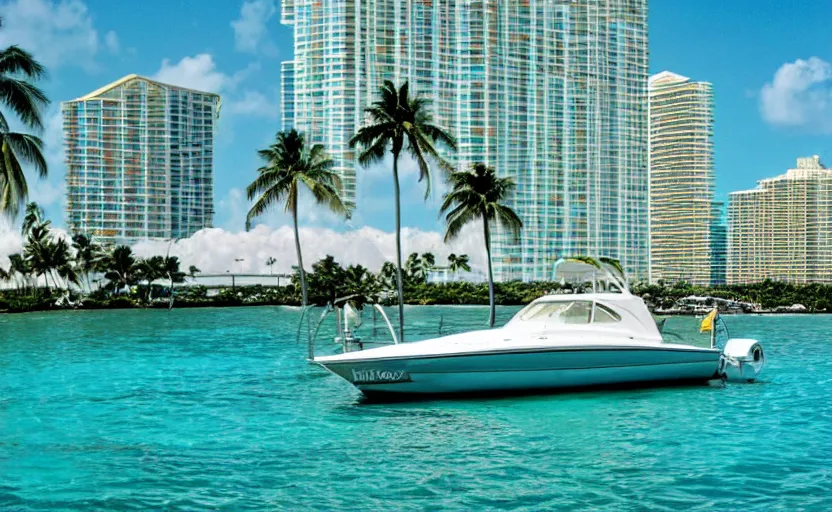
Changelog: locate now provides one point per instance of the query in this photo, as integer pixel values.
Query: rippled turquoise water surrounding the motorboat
(217, 409)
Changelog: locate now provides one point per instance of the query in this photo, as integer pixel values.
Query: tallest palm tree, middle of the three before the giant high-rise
(403, 124)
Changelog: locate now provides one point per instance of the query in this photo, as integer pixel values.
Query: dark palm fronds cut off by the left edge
(17, 70)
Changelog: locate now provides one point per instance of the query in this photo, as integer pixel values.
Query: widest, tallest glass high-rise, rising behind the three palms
(552, 93)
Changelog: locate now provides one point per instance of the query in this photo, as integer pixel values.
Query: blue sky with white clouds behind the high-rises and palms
(770, 65)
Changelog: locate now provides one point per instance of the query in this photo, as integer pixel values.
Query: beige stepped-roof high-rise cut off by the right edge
(782, 230)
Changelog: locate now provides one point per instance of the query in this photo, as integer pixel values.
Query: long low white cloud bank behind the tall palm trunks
(215, 250)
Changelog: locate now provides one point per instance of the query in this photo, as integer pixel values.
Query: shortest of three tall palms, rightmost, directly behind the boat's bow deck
(479, 193)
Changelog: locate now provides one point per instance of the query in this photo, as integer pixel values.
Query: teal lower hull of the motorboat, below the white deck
(527, 370)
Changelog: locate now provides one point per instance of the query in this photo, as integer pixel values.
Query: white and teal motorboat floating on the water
(603, 337)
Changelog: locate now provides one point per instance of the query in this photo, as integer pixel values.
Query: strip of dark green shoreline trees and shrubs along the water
(126, 281)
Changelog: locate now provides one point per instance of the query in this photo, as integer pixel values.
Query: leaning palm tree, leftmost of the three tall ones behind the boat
(289, 162)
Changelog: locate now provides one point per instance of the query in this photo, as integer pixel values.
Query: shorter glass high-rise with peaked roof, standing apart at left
(139, 160)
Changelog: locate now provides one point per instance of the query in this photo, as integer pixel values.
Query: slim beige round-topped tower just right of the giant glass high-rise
(681, 179)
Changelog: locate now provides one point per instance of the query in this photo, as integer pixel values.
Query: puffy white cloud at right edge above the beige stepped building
(800, 95)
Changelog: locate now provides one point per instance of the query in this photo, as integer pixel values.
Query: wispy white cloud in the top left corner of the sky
(57, 33)
